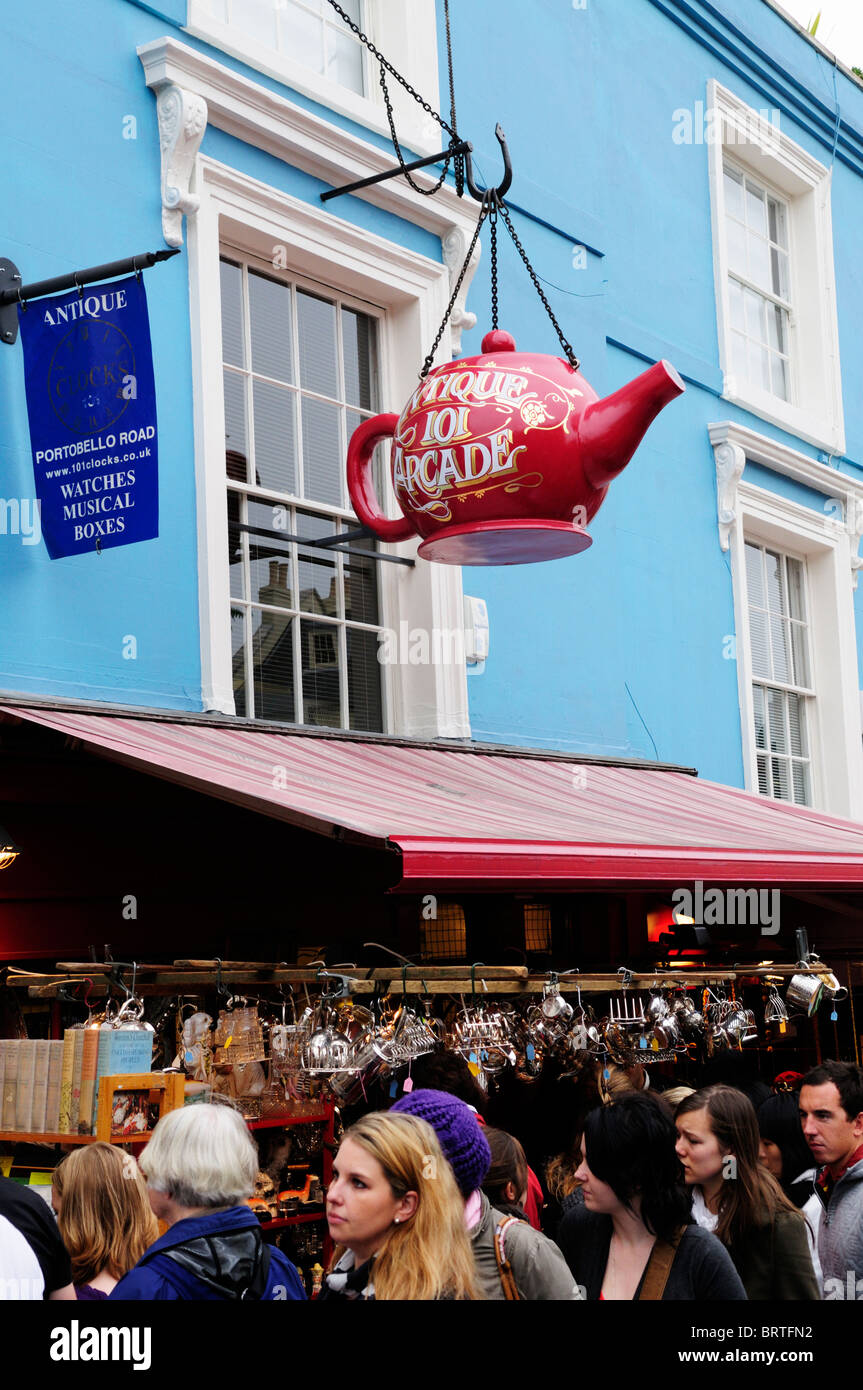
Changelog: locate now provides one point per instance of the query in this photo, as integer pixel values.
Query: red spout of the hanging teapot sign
(612, 430)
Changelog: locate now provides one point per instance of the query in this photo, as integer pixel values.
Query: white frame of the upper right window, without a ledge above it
(787, 170)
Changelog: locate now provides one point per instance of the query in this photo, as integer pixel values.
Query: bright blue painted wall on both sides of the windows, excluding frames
(619, 651)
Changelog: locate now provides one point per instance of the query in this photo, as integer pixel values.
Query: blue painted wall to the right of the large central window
(622, 650)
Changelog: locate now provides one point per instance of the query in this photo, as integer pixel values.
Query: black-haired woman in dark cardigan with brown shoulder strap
(629, 1236)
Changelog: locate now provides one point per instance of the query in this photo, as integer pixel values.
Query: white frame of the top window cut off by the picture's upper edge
(405, 31)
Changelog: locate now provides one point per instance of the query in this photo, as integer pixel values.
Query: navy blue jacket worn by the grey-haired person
(156, 1277)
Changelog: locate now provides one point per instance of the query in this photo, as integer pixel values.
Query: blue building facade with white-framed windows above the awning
(689, 183)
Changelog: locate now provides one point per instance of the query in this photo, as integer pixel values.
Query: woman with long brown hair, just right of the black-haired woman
(740, 1200)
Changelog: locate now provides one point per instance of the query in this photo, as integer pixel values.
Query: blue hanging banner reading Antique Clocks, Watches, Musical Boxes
(91, 401)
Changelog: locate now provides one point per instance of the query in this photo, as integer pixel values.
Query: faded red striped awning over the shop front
(473, 819)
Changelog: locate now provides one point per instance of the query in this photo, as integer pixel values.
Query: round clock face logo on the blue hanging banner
(88, 397)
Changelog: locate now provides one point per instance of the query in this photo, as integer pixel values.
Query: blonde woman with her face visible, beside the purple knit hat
(397, 1216)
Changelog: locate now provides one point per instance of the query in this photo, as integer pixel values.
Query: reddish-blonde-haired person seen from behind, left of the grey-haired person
(104, 1217)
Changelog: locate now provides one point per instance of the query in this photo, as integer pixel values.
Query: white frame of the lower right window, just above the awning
(828, 543)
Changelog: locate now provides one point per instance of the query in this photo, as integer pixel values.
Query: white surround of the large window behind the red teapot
(413, 293)
